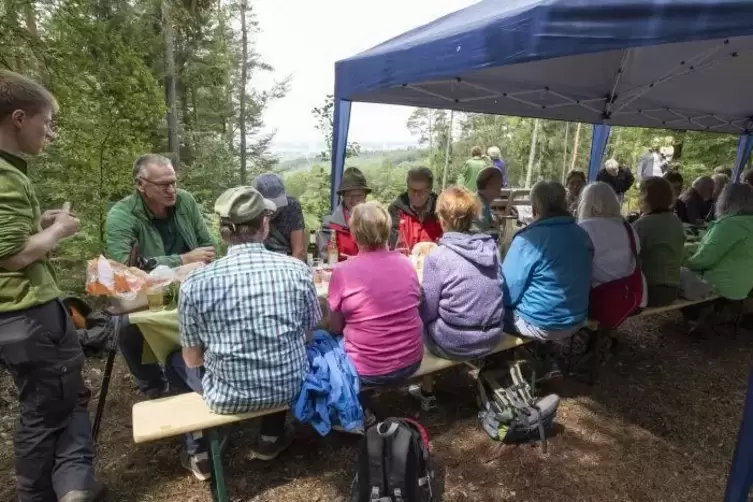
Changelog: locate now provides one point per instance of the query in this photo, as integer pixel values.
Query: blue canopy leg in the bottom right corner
(740, 476)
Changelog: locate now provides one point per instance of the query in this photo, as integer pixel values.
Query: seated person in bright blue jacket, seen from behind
(546, 274)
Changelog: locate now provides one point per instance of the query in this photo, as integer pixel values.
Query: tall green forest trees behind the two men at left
(103, 60)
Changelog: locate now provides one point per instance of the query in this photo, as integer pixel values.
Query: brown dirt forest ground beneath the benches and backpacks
(660, 425)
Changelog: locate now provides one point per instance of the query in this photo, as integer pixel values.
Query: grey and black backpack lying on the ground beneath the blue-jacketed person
(513, 414)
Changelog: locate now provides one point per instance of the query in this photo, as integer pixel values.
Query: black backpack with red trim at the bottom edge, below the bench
(393, 464)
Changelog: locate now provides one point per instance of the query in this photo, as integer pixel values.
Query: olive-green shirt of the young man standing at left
(20, 219)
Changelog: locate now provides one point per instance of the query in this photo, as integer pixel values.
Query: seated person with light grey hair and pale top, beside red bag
(599, 214)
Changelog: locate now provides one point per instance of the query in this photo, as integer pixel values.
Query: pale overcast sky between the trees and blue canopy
(304, 38)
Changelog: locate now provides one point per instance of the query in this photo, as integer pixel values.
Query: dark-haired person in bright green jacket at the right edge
(725, 255)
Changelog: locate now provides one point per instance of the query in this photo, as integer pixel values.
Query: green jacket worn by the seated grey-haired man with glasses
(131, 222)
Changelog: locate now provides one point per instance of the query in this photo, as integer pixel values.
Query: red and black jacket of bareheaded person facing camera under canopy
(407, 226)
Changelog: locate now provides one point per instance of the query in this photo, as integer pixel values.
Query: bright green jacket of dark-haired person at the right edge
(725, 256)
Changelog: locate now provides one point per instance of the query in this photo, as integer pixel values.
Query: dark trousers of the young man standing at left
(54, 451)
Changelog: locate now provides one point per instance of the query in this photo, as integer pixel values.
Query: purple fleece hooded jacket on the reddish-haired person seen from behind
(461, 305)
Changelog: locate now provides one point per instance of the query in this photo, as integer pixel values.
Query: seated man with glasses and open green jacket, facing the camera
(166, 226)
